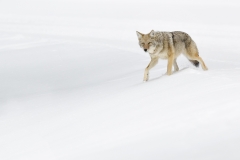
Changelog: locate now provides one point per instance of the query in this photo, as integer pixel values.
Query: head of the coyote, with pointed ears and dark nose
(146, 41)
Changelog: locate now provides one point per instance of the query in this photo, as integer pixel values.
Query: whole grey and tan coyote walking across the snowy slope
(169, 45)
